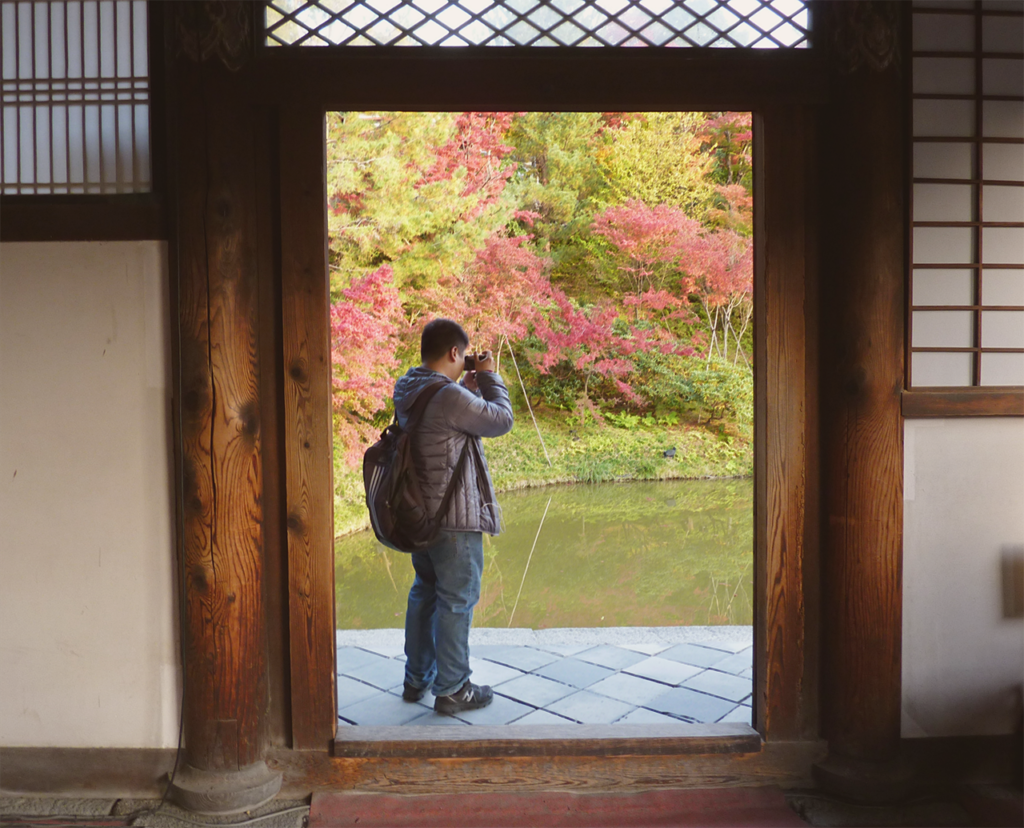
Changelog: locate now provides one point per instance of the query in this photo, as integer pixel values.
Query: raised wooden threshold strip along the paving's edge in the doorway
(545, 740)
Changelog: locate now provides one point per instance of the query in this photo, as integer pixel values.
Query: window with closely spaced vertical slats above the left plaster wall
(76, 98)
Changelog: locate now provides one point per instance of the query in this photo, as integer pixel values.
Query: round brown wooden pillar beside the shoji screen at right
(863, 288)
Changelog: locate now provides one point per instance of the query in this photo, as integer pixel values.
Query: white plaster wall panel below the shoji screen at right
(964, 513)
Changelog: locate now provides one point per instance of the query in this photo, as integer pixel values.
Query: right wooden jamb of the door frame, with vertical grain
(782, 424)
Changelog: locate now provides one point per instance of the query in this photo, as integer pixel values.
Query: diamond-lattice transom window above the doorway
(729, 24)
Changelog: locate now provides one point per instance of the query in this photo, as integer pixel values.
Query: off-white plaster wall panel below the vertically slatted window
(88, 613)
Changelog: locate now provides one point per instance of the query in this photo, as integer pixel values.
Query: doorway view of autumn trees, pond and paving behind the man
(608, 260)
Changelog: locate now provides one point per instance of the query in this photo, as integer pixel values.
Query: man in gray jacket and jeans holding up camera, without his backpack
(448, 575)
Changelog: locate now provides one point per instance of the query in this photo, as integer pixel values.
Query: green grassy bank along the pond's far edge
(594, 455)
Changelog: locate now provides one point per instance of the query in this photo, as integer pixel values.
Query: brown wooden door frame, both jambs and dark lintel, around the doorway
(781, 90)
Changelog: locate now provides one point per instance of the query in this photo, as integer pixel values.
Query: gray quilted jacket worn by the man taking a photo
(453, 417)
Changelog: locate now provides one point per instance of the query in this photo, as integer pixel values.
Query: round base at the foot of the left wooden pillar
(225, 792)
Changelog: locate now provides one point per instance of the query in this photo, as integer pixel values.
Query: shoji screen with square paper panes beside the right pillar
(967, 292)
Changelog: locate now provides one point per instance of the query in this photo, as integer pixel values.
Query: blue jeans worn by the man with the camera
(441, 612)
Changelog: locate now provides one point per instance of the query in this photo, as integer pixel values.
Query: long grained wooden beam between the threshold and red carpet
(785, 764)
